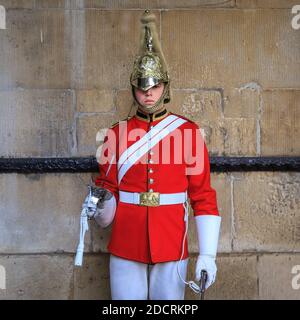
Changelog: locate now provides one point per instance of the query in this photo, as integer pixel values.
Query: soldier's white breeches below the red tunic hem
(129, 280)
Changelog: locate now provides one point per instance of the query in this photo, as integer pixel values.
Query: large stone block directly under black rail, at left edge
(41, 212)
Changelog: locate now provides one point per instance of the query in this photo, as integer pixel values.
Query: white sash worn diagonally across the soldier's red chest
(148, 141)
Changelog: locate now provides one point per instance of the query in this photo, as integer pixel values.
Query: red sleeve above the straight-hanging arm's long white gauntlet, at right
(202, 196)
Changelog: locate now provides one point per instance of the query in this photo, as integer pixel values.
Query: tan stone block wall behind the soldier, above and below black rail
(64, 74)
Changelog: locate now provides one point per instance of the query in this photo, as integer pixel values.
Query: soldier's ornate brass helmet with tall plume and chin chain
(150, 66)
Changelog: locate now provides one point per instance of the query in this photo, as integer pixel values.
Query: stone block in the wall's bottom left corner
(37, 277)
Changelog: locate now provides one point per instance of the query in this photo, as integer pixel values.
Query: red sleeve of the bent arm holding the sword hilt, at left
(108, 177)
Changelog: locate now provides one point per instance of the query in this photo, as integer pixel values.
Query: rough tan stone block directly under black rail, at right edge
(266, 211)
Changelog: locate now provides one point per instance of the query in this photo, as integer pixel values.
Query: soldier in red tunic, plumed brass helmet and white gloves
(147, 199)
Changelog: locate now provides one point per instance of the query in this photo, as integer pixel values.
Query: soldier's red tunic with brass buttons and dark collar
(155, 234)
